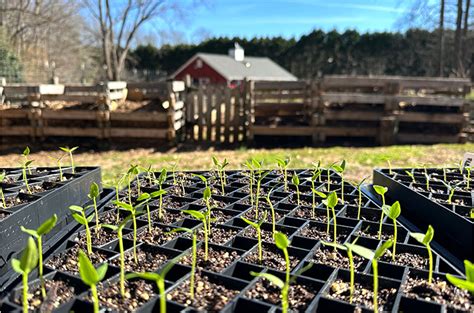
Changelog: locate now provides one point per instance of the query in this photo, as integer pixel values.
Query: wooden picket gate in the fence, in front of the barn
(216, 114)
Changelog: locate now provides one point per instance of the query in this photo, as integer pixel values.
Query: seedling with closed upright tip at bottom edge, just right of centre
(283, 243)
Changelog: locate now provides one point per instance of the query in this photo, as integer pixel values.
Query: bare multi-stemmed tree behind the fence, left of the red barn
(119, 25)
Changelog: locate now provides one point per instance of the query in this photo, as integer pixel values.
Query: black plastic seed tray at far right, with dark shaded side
(422, 206)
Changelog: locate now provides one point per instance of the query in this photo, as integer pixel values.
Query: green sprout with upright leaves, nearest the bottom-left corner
(23, 266)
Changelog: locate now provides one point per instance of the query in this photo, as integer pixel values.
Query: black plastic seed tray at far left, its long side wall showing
(49, 196)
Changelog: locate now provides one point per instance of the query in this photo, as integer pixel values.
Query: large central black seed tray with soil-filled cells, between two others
(225, 283)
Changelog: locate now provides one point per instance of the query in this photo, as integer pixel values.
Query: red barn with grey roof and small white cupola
(231, 69)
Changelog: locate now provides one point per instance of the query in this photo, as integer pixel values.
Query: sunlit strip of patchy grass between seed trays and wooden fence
(361, 161)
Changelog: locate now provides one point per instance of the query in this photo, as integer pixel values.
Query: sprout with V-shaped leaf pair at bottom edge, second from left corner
(91, 276)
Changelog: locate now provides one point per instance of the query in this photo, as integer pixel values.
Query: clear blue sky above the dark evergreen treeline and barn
(288, 18)
